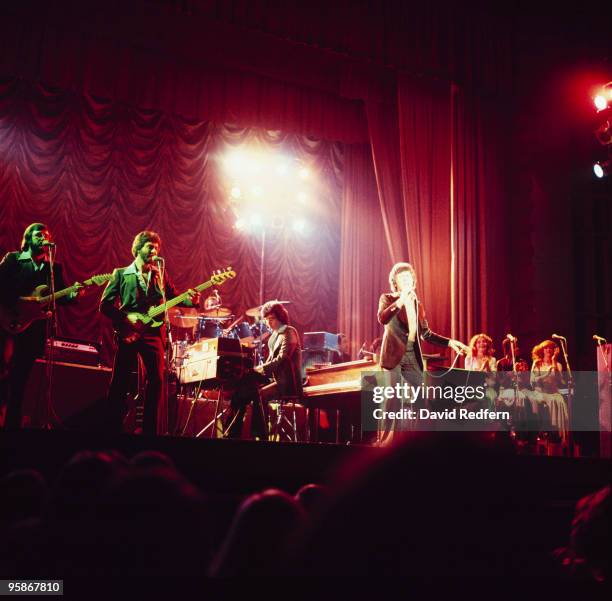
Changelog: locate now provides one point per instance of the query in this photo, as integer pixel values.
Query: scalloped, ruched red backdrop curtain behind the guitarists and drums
(97, 172)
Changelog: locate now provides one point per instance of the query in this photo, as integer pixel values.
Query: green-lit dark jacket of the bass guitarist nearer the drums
(123, 294)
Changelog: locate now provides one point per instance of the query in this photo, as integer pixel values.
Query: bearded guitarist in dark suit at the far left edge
(20, 273)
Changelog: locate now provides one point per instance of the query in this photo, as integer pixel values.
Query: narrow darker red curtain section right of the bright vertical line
(483, 247)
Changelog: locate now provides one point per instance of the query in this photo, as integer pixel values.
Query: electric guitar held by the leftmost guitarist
(35, 306)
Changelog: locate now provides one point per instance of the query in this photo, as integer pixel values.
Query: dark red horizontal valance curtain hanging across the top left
(174, 66)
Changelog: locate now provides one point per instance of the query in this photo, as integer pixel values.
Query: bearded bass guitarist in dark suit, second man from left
(134, 290)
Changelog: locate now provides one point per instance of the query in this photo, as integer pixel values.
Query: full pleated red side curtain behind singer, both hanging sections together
(413, 173)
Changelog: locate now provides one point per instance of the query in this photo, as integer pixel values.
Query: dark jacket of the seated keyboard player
(285, 363)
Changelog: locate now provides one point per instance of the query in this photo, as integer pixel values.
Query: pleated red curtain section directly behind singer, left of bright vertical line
(411, 154)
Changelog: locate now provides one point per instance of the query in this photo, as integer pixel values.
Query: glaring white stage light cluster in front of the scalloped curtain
(267, 189)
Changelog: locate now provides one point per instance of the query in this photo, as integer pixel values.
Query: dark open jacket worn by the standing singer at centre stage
(396, 331)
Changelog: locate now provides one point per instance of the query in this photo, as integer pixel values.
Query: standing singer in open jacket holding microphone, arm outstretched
(403, 316)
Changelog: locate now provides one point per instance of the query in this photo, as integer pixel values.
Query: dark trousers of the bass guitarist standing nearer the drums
(150, 348)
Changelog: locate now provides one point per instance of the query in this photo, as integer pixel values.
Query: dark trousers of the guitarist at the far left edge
(26, 348)
